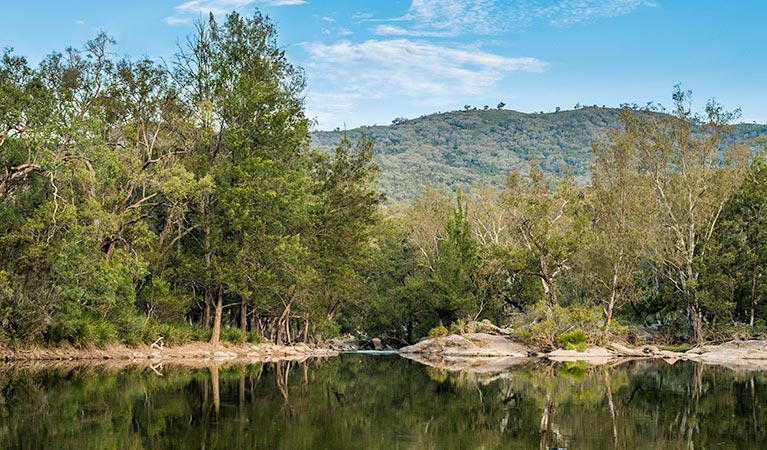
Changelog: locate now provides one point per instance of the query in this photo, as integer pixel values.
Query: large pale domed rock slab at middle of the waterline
(469, 345)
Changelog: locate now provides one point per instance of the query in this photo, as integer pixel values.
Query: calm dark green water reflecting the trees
(359, 401)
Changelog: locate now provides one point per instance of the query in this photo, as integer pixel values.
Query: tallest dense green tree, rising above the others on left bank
(253, 144)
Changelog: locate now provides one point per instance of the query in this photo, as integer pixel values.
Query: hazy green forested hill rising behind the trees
(470, 148)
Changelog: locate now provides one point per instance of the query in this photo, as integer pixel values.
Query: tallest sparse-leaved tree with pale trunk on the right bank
(692, 174)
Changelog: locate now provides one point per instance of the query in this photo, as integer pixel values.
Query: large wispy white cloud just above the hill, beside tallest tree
(376, 68)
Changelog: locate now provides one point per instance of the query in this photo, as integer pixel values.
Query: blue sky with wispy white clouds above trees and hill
(370, 61)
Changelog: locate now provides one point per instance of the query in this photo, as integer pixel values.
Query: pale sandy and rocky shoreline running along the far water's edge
(474, 352)
